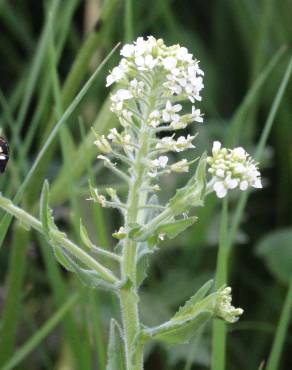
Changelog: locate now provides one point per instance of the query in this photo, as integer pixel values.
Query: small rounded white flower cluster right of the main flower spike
(232, 168)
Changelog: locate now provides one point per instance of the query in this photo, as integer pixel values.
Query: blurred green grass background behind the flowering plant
(48, 50)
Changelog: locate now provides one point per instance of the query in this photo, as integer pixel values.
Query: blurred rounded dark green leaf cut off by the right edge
(276, 251)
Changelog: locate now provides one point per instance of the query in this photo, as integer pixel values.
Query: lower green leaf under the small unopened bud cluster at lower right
(181, 332)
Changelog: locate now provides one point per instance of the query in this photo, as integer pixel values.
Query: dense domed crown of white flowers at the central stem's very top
(181, 72)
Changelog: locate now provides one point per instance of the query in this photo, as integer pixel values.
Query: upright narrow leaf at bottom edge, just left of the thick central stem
(115, 351)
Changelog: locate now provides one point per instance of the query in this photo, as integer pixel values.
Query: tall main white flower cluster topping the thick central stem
(153, 81)
